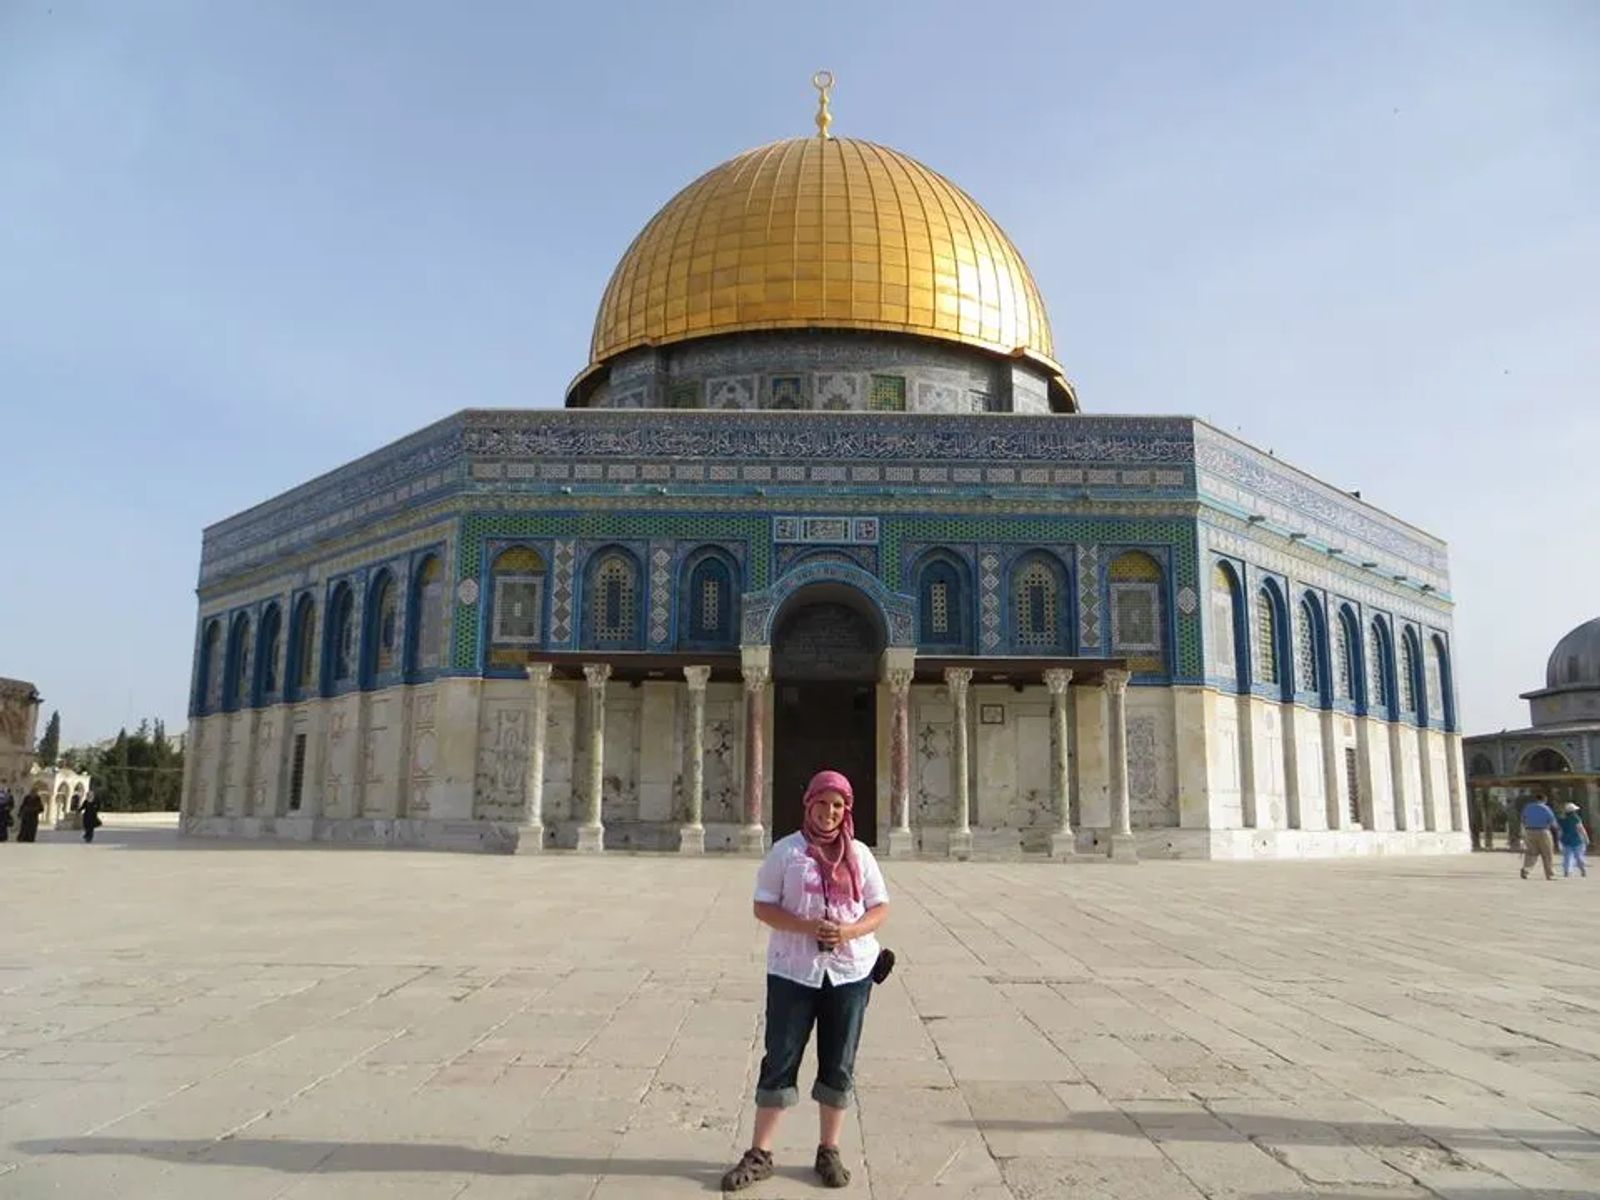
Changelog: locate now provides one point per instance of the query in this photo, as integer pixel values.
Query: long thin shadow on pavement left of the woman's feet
(313, 1158)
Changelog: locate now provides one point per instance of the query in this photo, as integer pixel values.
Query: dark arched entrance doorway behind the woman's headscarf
(825, 673)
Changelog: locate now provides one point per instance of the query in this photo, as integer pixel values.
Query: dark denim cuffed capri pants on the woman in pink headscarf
(838, 1012)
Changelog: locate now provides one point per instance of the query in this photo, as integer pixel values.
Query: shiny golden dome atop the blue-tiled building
(828, 233)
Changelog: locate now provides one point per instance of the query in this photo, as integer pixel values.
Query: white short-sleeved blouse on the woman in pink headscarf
(791, 879)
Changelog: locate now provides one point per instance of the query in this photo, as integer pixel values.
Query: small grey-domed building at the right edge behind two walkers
(1558, 756)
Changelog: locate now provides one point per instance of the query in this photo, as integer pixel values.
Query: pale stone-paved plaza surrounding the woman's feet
(241, 1023)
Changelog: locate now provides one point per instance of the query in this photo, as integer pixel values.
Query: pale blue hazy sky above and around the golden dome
(244, 244)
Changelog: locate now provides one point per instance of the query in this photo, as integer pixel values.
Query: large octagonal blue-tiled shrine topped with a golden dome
(825, 497)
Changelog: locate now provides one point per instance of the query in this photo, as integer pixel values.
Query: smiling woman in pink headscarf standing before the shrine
(823, 897)
